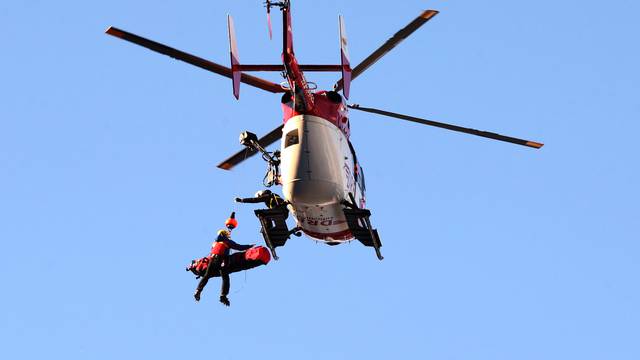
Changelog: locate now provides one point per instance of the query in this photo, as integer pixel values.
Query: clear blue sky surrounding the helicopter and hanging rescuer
(492, 251)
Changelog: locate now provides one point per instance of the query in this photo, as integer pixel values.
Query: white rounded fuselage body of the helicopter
(319, 170)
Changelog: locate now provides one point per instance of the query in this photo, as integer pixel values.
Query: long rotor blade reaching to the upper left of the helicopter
(193, 60)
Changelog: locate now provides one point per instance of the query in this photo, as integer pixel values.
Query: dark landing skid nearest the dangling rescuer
(274, 228)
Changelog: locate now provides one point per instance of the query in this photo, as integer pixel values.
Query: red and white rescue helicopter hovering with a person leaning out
(322, 181)
